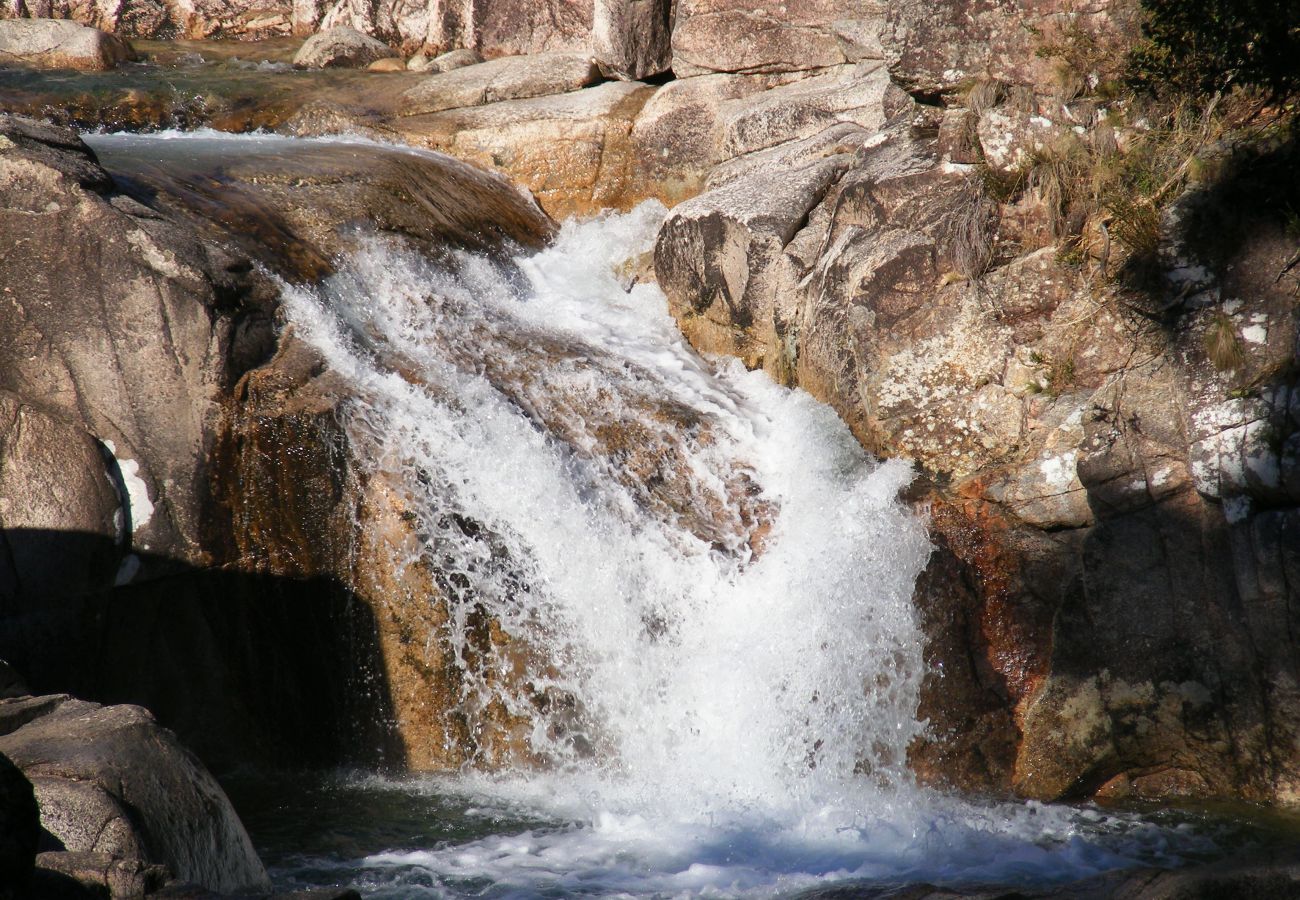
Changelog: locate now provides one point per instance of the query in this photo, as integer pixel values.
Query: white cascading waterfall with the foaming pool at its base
(716, 574)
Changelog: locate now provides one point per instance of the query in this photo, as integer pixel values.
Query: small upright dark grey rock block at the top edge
(632, 40)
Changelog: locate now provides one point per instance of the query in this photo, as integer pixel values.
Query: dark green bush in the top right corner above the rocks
(1201, 47)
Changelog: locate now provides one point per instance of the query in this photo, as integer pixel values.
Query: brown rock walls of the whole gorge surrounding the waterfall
(865, 202)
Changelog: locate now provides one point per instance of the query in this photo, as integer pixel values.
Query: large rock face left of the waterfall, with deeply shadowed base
(279, 585)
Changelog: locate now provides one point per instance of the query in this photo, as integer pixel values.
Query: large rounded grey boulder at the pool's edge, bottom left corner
(116, 786)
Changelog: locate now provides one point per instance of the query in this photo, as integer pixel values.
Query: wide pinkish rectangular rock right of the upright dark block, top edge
(740, 36)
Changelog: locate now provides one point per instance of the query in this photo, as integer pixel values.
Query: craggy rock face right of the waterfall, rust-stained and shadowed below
(1090, 465)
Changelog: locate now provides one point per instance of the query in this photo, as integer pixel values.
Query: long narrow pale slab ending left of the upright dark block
(510, 79)
